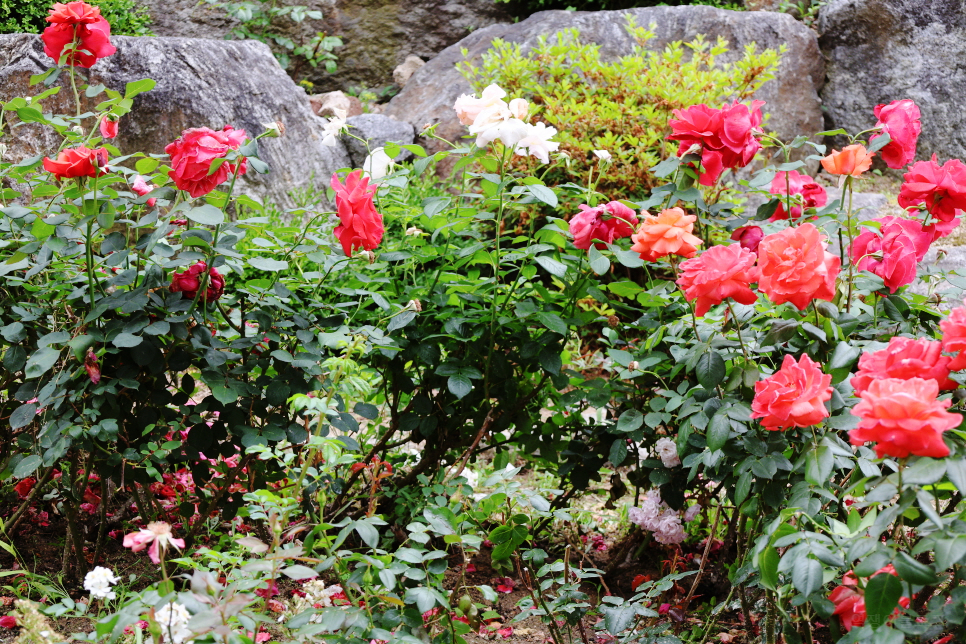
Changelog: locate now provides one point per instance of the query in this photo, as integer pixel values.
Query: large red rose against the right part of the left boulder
(193, 154)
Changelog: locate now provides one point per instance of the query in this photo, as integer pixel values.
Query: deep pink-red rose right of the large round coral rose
(892, 252)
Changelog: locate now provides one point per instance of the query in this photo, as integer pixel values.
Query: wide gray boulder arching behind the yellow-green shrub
(792, 97)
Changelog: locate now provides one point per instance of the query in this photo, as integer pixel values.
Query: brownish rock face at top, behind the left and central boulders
(378, 35)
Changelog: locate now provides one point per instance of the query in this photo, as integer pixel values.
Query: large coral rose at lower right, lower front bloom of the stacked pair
(903, 417)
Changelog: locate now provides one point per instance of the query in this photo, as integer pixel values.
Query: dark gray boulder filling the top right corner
(879, 51)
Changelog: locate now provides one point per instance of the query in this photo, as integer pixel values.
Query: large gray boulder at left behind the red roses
(199, 84)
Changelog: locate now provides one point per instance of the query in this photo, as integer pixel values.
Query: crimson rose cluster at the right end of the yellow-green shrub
(725, 137)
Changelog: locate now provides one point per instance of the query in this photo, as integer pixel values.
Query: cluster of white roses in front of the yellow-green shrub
(491, 118)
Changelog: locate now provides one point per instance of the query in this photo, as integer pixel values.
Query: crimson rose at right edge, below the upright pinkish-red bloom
(941, 188)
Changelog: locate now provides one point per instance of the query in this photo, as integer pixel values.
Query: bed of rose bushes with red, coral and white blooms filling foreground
(373, 423)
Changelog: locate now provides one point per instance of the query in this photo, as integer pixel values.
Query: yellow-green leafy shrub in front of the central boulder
(622, 106)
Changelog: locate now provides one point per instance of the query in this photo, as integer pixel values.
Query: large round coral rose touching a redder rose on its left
(796, 268)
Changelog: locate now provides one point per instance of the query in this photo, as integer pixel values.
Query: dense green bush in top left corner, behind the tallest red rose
(29, 16)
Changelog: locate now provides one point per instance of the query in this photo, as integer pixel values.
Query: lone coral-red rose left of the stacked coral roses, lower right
(793, 397)
